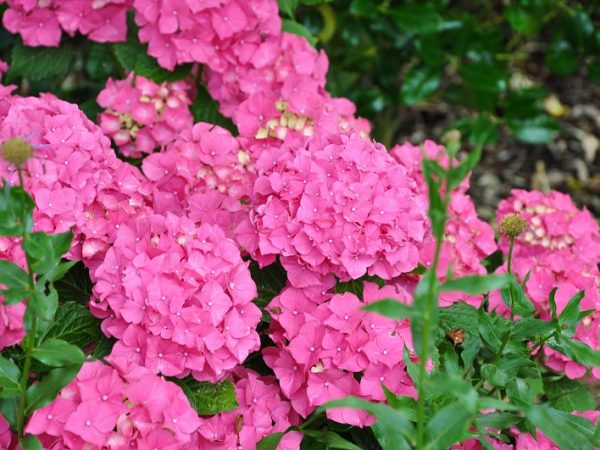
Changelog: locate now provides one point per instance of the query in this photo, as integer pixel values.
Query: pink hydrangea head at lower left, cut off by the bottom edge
(102, 408)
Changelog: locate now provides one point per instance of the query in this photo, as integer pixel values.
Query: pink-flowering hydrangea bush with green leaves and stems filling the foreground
(212, 253)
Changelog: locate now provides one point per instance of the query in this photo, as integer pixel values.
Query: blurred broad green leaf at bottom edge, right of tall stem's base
(448, 426)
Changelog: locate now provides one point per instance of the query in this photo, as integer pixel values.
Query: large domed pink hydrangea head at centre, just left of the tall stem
(339, 205)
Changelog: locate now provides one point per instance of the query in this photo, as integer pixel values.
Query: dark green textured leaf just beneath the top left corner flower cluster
(35, 63)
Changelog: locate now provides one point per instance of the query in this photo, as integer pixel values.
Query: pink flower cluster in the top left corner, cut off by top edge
(41, 22)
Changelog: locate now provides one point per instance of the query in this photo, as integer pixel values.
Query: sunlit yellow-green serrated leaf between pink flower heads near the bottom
(208, 398)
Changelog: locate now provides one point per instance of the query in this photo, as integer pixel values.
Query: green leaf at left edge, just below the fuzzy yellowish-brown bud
(16, 208)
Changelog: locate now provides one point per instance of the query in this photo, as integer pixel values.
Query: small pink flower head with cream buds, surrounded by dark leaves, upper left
(142, 115)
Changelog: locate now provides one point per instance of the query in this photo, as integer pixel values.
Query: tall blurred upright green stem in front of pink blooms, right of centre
(424, 356)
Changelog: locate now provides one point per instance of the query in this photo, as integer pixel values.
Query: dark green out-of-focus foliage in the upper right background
(453, 53)
